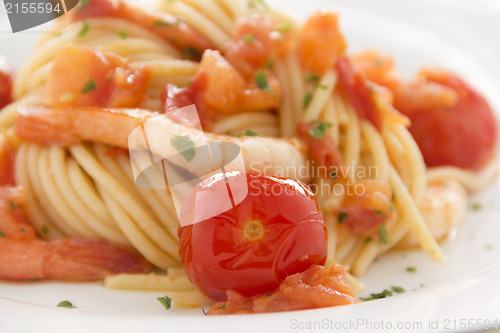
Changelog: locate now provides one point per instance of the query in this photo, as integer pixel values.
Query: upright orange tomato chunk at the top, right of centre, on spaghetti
(321, 42)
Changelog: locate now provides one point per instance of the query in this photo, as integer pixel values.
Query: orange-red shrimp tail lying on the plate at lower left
(67, 259)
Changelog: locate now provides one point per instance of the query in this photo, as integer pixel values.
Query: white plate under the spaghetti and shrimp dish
(462, 295)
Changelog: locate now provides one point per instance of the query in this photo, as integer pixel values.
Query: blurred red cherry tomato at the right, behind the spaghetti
(463, 135)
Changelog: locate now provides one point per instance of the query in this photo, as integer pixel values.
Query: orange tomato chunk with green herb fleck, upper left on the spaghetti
(87, 77)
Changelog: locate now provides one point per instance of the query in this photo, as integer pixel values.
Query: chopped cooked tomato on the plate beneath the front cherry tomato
(317, 287)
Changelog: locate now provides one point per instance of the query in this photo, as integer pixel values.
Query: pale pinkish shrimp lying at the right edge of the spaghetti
(443, 209)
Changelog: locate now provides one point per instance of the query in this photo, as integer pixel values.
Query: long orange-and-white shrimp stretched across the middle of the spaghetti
(45, 125)
